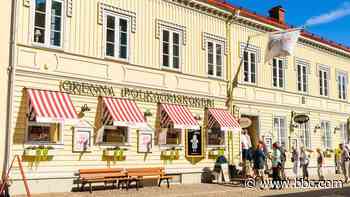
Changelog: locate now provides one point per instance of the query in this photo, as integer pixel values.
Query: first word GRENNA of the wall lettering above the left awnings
(86, 89)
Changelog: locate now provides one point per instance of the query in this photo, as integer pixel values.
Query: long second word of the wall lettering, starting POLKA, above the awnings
(157, 97)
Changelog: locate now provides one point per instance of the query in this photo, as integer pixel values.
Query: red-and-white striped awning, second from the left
(122, 112)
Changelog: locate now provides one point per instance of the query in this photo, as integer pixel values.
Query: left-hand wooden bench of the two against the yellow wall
(105, 175)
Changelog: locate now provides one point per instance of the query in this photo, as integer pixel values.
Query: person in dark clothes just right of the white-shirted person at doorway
(259, 158)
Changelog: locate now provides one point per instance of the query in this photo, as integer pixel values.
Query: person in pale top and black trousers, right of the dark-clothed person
(276, 166)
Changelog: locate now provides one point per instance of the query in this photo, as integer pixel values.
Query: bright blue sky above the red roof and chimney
(298, 12)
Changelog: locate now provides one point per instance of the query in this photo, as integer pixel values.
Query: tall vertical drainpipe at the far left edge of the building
(10, 87)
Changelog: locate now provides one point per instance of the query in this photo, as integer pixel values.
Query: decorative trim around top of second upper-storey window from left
(103, 6)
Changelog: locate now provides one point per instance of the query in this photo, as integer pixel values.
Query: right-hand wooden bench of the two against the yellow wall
(139, 174)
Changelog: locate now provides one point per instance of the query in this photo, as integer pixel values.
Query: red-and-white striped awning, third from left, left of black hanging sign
(177, 116)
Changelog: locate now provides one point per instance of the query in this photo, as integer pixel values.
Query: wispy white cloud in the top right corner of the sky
(333, 15)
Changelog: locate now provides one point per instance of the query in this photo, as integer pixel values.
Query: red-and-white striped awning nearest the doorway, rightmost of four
(221, 118)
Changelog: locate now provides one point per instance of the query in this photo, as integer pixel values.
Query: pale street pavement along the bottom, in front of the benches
(204, 190)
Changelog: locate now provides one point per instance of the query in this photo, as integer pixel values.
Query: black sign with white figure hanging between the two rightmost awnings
(194, 143)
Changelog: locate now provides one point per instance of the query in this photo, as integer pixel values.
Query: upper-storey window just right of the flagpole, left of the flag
(249, 63)
